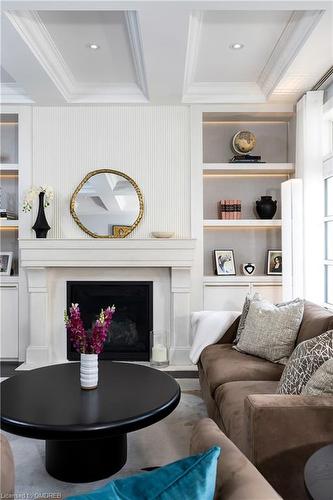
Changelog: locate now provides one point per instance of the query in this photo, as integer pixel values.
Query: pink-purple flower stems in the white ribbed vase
(88, 342)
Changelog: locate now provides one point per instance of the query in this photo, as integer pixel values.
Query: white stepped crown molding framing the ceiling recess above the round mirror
(35, 34)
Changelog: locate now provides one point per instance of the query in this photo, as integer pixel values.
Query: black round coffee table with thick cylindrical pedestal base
(86, 431)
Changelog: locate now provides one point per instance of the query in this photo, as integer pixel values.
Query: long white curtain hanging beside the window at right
(309, 152)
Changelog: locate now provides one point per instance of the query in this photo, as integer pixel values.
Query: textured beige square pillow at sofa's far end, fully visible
(270, 331)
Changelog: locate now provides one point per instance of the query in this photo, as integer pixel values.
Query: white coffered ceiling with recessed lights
(163, 51)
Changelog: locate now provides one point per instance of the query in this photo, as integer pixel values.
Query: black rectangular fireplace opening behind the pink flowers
(129, 334)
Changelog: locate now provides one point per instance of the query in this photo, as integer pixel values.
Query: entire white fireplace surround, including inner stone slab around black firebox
(50, 263)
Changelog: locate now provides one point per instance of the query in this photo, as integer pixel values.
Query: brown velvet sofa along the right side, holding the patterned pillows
(276, 432)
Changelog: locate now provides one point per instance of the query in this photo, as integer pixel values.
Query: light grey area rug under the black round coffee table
(159, 444)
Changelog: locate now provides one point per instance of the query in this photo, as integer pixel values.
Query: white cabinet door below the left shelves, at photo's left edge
(9, 321)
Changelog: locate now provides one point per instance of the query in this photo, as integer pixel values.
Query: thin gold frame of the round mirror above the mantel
(122, 231)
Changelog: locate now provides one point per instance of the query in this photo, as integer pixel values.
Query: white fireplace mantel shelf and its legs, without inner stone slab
(39, 256)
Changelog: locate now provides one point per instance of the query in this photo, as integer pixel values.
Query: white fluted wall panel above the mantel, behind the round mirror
(149, 143)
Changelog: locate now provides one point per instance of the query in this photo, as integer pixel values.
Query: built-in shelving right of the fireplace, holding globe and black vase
(248, 236)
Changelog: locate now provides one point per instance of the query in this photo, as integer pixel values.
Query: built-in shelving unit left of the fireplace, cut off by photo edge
(12, 286)
